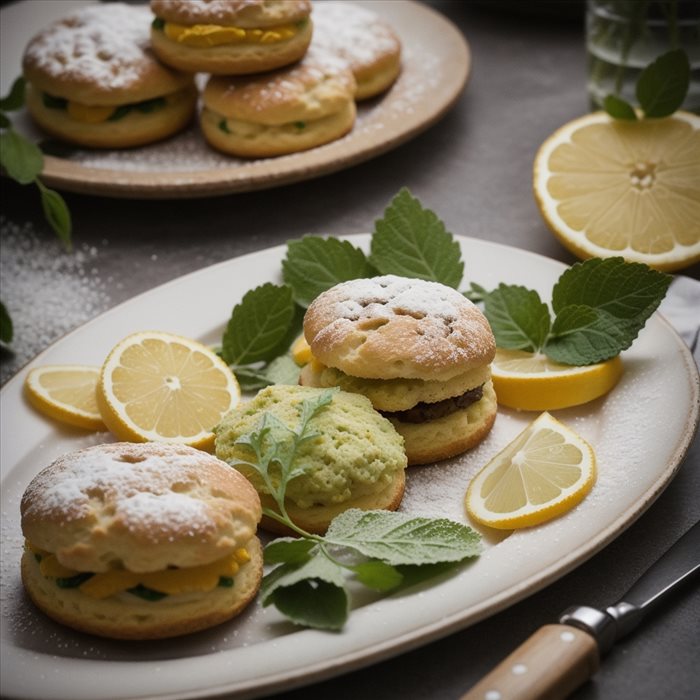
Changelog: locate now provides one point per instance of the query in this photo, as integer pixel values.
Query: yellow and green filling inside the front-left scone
(195, 579)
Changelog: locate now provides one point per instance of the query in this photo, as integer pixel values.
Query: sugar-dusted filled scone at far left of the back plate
(93, 80)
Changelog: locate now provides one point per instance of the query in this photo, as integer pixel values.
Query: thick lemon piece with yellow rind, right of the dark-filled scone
(532, 382)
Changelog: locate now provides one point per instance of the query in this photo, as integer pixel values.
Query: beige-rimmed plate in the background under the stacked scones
(435, 66)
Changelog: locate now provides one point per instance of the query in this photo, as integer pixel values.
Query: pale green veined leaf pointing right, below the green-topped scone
(398, 538)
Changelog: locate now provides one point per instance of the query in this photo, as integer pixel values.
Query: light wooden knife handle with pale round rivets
(551, 664)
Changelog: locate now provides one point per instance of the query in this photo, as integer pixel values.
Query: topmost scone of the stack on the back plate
(230, 37)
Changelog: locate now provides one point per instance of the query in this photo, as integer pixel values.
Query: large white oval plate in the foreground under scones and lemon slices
(259, 652)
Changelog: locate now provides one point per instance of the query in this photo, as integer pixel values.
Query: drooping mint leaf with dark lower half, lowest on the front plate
(311, 594)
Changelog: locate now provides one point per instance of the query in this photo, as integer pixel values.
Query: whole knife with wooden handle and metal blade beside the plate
(558, 658)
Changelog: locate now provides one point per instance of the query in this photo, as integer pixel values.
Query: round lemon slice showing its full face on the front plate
(157, 386)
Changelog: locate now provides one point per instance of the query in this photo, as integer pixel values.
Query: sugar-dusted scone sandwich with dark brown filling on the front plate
(419, 350)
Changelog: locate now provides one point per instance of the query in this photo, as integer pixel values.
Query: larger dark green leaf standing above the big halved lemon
(663, 84)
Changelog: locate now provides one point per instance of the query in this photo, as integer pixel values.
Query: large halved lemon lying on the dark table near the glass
(612, 187)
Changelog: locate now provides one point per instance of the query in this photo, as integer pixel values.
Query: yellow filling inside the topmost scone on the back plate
(207, 35)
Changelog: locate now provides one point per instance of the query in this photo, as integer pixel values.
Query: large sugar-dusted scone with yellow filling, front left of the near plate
(140, 541)
